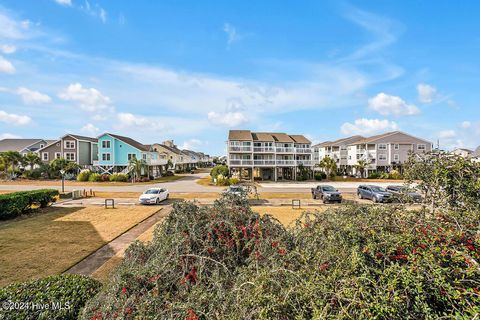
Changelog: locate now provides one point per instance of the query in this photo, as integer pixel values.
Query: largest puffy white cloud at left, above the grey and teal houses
(89, 99)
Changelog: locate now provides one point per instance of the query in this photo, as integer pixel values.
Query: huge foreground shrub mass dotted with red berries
(357, 262)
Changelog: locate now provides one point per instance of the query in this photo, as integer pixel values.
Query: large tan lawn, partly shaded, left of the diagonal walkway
(51, 242)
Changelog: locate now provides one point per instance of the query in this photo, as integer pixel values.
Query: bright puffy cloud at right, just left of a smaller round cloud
(391, 105)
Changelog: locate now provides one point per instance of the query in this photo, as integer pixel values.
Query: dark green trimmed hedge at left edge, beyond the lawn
(17, 203)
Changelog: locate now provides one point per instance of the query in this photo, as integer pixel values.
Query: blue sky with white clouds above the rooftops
(190, 70)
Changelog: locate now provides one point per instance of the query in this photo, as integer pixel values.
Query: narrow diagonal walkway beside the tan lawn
(95, 260)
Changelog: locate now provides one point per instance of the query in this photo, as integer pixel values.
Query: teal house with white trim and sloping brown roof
(115, 152)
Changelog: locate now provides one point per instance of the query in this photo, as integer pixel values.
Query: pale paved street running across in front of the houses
(188, 184)
